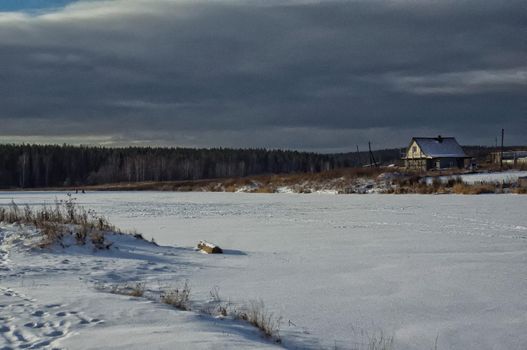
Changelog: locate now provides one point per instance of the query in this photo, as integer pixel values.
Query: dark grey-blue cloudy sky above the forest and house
(309, 75)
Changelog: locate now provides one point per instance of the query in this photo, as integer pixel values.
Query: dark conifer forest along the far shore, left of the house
(33, 166)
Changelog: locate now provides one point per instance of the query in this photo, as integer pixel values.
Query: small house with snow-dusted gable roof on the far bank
(425, 153)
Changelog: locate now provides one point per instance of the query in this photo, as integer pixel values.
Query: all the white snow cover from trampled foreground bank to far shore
(338, 269)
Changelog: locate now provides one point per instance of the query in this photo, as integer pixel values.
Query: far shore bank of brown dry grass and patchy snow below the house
(344, 181)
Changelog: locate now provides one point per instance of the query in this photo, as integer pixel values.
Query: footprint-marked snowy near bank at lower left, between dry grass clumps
(52, 298)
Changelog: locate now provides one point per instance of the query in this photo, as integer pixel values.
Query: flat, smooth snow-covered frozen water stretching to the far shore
(416, 267)
